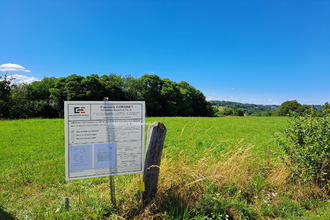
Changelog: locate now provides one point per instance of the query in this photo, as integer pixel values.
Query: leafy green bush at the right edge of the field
(306, 141)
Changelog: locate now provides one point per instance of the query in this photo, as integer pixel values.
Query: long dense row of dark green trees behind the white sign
(46, 98)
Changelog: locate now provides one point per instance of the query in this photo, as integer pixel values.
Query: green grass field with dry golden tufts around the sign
(212, 168)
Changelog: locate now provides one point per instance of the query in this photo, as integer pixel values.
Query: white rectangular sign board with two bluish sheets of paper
(103, 138)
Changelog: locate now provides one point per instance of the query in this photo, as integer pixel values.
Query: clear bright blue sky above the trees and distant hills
(263, 52)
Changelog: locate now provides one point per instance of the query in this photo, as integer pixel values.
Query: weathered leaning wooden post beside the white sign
(155, 143)
